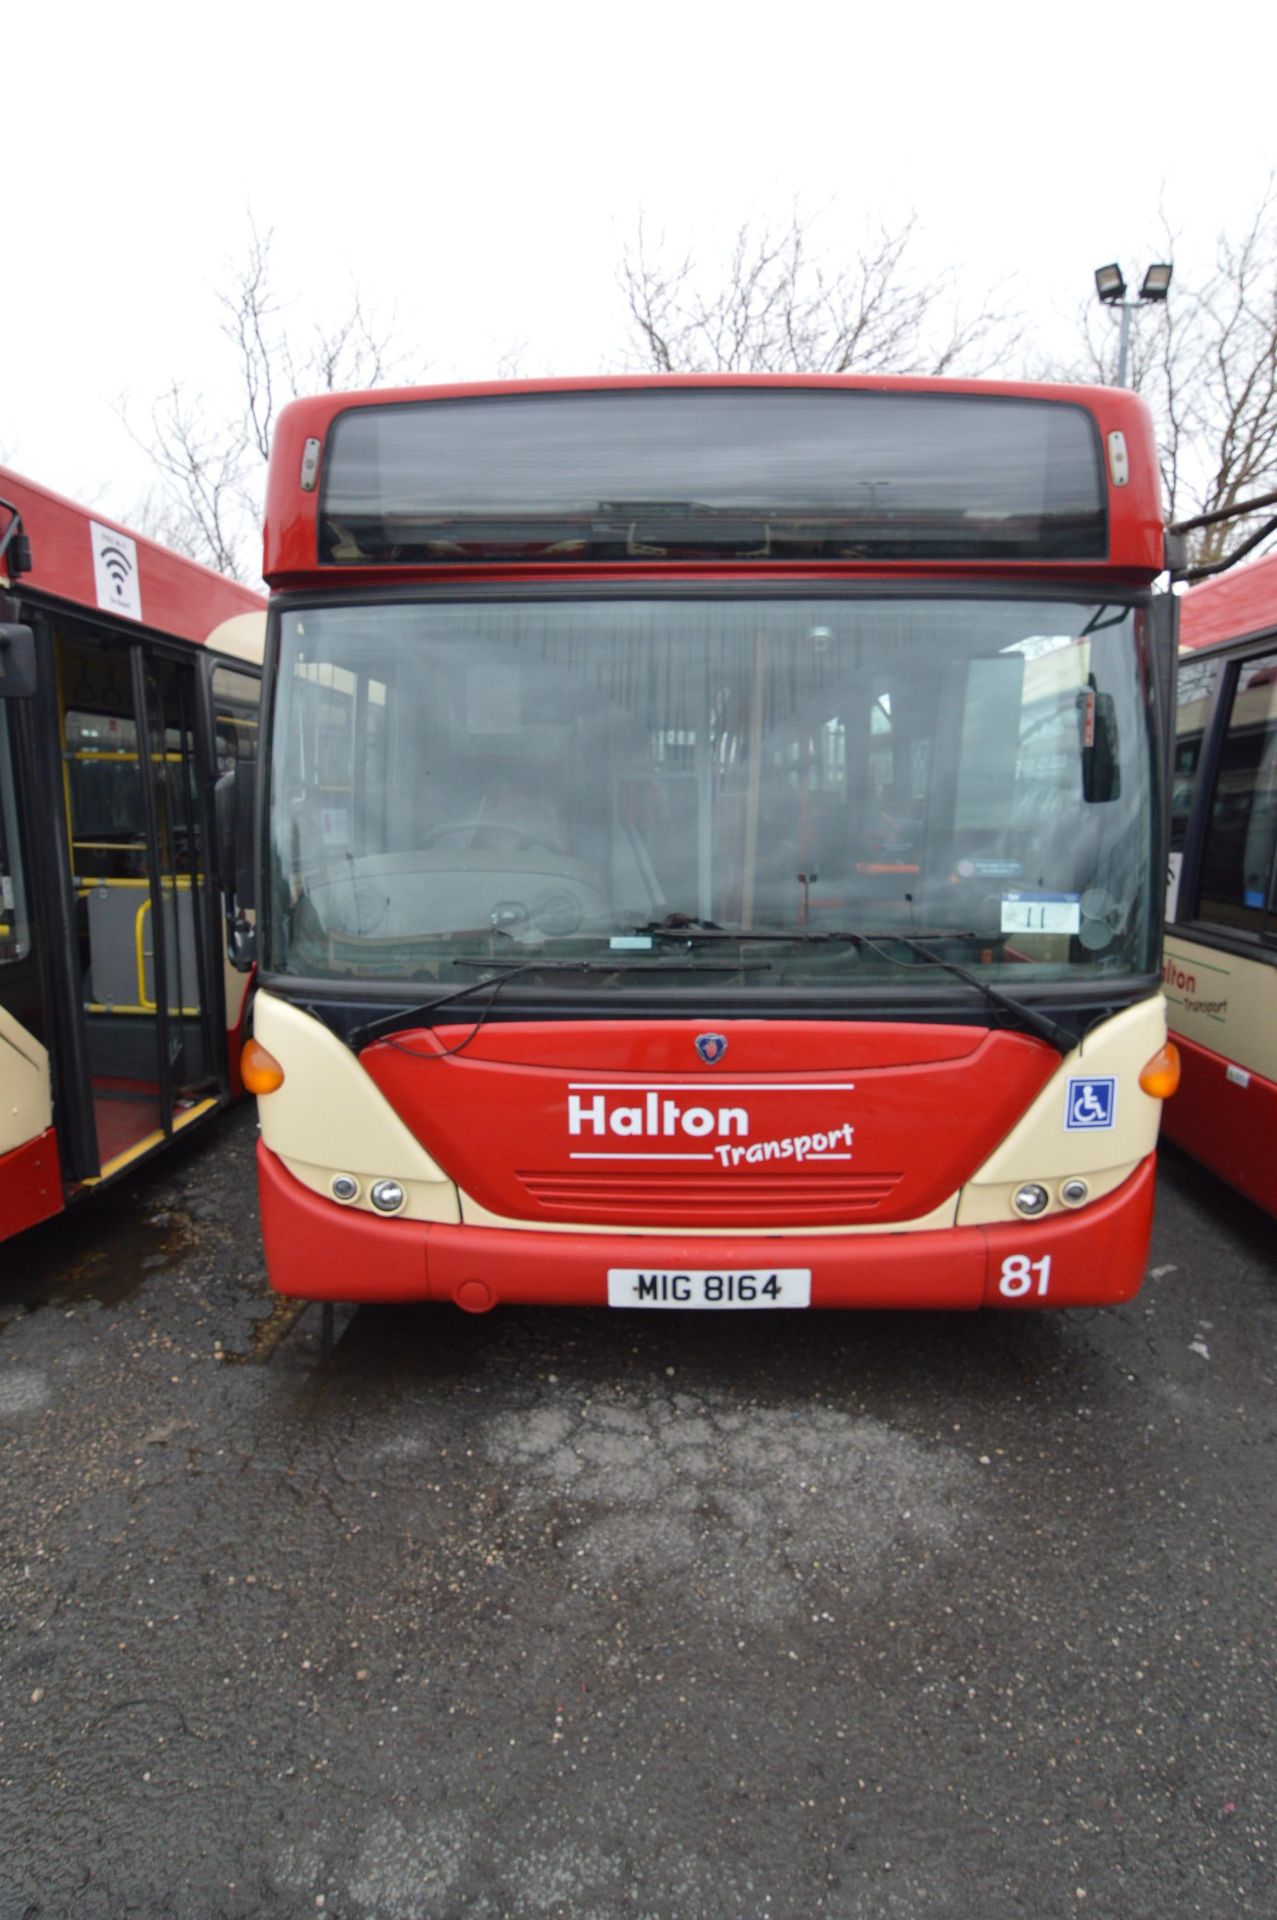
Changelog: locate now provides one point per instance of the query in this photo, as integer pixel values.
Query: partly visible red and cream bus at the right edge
(1222, 907)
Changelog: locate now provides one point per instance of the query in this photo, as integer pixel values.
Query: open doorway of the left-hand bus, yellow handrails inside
(120, 988)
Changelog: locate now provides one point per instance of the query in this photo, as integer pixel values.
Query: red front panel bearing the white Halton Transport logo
(498, 1118)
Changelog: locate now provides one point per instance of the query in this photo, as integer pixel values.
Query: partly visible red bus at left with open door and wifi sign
(120, 1020)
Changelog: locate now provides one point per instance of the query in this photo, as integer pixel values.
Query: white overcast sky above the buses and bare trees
(477, 174)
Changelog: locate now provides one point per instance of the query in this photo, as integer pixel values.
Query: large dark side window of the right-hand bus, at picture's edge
(1241, 848)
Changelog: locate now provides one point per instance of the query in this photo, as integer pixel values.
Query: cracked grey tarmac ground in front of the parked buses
(562, 1616)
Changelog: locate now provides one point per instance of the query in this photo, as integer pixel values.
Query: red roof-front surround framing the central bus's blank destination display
(293, 516)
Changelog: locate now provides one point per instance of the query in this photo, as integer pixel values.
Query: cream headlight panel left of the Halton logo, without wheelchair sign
(329, 1118)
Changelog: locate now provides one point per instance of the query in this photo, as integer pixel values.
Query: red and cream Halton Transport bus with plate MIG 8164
(713, 844)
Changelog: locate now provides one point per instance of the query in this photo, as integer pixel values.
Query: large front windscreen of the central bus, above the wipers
(794, 788)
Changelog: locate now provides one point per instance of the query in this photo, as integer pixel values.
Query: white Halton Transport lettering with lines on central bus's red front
(698, 1132)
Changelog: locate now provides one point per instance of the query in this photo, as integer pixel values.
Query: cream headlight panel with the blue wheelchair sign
(1042, 1149)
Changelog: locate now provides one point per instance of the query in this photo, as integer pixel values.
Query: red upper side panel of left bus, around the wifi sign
(178, 596)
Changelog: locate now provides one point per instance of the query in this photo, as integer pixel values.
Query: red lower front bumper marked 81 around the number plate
(320, 1251)
